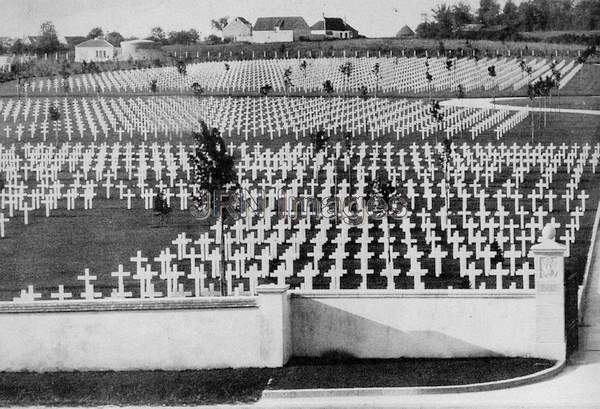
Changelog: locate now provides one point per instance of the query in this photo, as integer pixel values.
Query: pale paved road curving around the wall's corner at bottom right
(578, 386)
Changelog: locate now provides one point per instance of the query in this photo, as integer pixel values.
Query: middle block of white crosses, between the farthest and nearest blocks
(279, 117)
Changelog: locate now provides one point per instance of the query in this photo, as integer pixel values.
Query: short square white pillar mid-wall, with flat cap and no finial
(276, 334)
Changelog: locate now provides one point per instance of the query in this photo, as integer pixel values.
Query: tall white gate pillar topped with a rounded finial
(550, 342)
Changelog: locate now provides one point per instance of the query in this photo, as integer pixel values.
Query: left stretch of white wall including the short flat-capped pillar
(146, 334)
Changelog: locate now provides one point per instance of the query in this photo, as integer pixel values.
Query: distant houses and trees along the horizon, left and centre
(97, 47)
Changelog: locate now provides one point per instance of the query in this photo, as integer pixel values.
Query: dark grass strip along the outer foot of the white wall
(246, 385)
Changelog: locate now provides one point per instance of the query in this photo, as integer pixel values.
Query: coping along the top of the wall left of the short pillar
(132, 304)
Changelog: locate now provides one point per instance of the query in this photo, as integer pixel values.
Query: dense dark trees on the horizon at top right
(511, 19)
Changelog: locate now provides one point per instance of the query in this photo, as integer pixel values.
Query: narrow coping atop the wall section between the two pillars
(458, 293)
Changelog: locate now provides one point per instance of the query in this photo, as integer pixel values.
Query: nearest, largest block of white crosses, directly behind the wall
(480, 179)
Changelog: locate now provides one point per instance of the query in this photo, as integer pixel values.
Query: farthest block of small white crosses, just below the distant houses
(395, 74)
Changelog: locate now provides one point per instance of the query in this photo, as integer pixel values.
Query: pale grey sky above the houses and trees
(373, 18)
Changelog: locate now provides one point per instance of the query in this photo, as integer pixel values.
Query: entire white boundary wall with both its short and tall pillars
(264, 331)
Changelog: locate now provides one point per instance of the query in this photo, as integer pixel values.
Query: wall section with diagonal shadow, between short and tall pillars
(445, 323)
